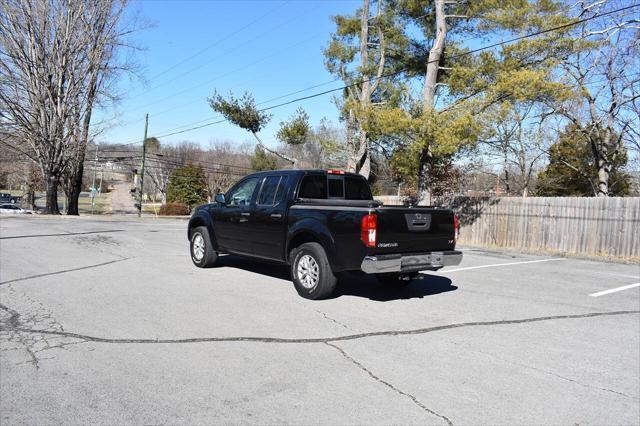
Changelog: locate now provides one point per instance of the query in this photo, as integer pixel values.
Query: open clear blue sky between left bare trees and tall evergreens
(267, 47)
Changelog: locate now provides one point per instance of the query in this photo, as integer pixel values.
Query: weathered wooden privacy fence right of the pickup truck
(592, 226)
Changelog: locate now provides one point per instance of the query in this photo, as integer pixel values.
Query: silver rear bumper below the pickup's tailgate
(386, 263)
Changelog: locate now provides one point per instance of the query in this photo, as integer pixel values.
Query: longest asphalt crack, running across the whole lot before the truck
(418, 331)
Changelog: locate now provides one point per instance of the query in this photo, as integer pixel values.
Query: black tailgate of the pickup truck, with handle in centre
(414, 229)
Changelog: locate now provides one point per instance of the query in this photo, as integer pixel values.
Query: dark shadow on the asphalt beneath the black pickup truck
(349, 284)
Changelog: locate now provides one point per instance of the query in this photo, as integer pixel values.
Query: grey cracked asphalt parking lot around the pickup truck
(107, 321)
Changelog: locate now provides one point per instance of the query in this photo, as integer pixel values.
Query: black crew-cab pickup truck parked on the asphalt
(322, 222)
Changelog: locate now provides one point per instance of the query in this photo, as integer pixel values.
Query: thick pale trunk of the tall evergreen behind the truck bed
(429, 91)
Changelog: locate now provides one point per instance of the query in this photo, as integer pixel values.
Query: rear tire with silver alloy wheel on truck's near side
(311, 273)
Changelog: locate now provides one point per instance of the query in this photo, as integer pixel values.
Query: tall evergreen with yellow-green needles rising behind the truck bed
(420, 43)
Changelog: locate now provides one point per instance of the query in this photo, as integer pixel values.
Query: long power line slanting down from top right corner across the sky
(395, 73)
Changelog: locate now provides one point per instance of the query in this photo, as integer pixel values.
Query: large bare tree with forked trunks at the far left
(57, 57)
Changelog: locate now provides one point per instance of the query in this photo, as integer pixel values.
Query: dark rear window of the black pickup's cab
(329, 186)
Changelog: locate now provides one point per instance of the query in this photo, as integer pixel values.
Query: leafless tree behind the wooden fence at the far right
(605, 78)
